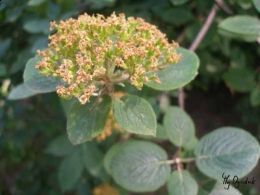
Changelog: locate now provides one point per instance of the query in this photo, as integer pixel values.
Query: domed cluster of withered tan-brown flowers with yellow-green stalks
(93, 52)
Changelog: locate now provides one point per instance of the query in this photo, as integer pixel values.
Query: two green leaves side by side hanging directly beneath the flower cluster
(132, 113)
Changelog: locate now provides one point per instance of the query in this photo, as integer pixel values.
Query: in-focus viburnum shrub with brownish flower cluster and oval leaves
(93, 61)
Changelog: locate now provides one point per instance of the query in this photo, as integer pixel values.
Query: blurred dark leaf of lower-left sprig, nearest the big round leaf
(93, 157)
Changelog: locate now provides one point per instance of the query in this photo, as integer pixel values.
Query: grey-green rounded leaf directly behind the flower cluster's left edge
(37, 83)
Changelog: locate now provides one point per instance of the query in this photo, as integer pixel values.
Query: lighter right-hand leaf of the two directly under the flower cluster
(135, 115)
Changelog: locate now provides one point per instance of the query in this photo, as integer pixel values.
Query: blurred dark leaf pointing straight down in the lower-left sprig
(70, 171)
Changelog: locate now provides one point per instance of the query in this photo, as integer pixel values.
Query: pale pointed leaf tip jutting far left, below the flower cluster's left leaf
(20, 92)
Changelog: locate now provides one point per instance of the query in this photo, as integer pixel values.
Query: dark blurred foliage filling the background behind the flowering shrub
(32, 131)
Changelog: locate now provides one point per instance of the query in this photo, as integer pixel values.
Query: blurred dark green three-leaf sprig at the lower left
(76, 158)
